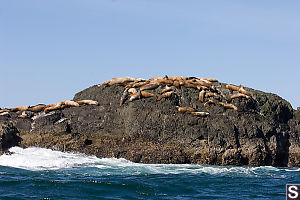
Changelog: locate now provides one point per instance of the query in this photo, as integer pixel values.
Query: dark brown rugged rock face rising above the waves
(265, 130)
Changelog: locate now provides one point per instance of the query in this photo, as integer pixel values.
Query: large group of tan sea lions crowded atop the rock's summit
(208, 94)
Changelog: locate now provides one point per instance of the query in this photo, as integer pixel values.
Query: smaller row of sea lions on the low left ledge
(47, 108)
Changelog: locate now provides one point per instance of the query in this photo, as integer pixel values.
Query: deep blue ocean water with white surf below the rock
(37, 173)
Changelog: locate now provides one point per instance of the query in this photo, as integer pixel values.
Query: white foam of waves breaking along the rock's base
(45, 159)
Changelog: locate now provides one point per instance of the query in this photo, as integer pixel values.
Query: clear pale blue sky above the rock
(52, 49)
